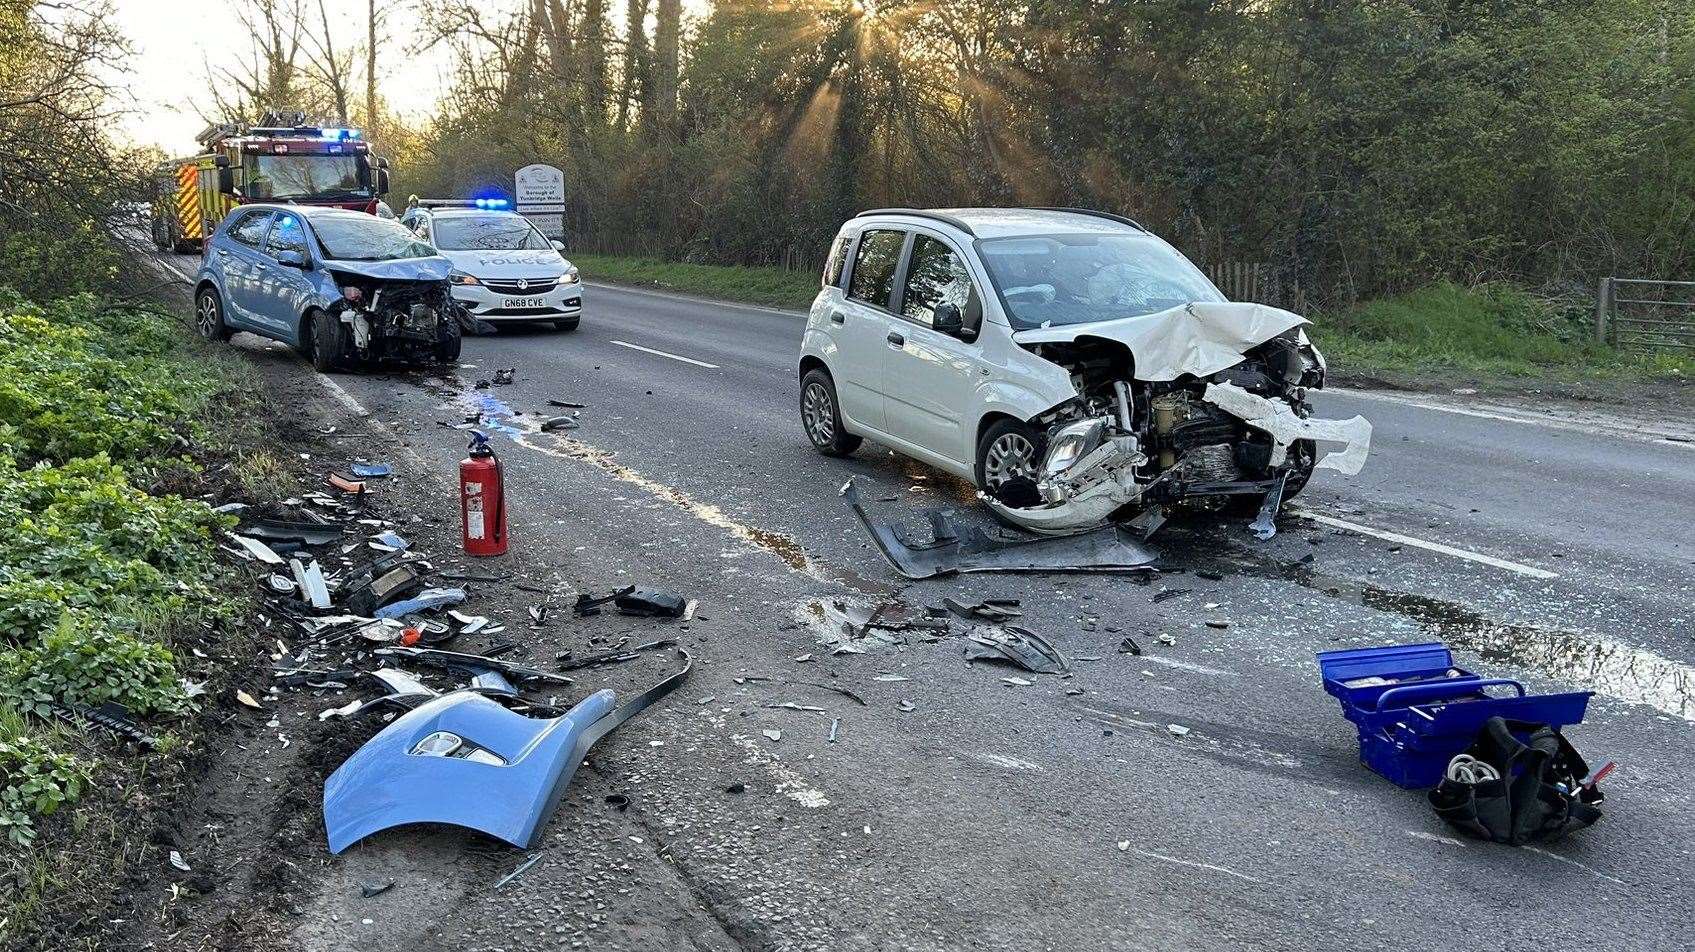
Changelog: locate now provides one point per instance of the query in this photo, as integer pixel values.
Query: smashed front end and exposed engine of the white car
(1126, 445)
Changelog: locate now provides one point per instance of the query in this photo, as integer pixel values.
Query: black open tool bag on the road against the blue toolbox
(1540, 794)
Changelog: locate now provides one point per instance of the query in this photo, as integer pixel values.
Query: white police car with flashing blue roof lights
(503, 268)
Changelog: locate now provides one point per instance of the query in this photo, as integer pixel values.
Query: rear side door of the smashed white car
(860, 326)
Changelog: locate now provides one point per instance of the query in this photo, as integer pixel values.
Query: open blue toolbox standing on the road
(1416, 711)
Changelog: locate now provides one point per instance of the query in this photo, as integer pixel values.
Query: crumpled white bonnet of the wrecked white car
(1199, 340)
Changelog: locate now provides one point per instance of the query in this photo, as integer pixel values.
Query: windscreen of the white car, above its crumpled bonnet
(1048, 280)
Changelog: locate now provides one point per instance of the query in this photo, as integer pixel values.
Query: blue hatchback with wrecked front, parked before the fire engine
(342, 287)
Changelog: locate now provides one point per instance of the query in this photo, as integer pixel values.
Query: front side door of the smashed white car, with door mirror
(930, 377)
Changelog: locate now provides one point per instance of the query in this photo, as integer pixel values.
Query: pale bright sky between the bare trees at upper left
(174, 42)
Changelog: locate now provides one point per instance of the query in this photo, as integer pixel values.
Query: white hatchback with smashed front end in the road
(1077, 368)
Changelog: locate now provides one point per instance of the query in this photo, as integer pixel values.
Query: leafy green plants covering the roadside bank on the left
(111, 421)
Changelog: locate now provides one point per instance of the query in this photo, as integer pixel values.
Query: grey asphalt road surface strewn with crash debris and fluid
(957, 811)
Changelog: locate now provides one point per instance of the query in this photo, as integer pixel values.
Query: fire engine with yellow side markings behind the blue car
(279, 160)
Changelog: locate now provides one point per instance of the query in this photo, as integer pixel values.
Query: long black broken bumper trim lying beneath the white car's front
(970, 550)
